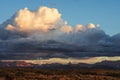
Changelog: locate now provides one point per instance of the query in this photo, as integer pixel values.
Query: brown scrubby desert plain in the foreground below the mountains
(58, 74)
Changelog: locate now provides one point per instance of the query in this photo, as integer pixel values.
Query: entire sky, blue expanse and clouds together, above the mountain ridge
(68, 28)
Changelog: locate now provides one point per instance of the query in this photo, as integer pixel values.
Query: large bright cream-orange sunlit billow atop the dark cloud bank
(42, 20)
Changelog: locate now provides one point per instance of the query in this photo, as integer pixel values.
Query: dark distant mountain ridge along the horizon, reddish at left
(99, 65)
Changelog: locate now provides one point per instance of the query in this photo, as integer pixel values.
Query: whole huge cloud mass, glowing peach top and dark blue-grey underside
(44, 29)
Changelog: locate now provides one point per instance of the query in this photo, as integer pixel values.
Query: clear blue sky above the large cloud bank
(103, 12)
